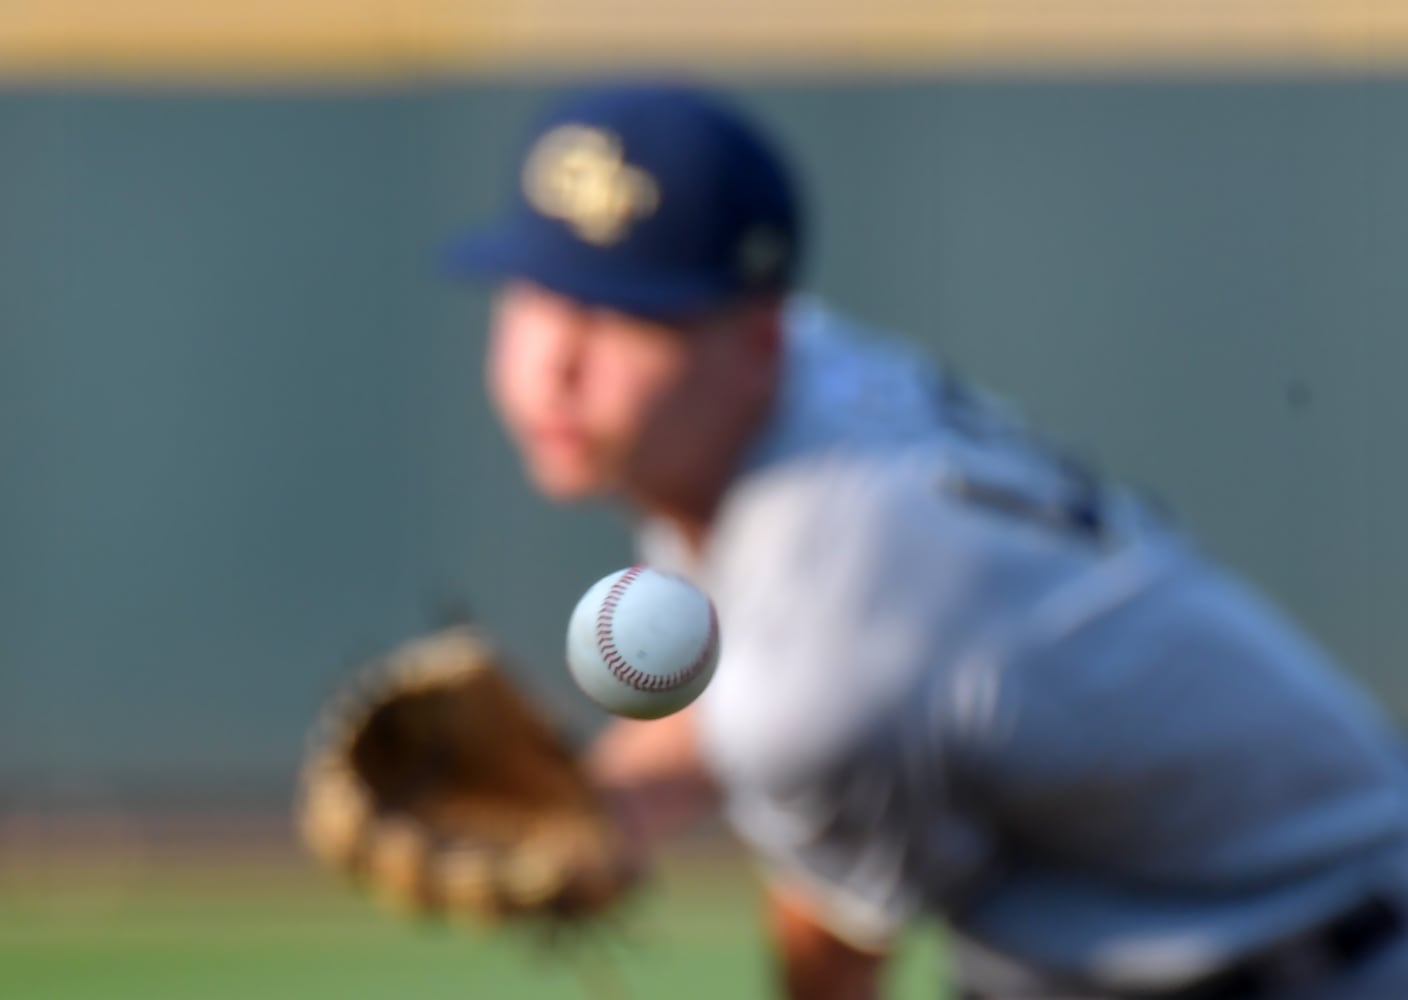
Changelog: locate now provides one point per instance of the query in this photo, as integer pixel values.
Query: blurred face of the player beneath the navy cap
(602, 404)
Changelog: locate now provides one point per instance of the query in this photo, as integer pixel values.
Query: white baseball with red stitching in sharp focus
(643, 643)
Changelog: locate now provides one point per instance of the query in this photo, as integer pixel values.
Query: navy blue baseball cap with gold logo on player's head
(660, 201)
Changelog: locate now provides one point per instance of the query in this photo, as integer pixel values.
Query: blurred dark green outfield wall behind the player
(243, 442)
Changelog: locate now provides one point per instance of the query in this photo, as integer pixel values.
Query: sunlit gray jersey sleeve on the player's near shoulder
(844, 604)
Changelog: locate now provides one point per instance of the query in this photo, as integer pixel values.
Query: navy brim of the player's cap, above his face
(506, 253)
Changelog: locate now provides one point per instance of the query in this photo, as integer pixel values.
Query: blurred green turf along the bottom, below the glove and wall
(271, 933)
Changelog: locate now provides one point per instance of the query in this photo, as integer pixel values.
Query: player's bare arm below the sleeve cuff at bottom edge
(816, 964)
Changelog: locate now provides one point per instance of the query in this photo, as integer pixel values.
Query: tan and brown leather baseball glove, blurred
(437, 784)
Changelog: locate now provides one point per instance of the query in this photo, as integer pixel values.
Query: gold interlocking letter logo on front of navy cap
(579, 175)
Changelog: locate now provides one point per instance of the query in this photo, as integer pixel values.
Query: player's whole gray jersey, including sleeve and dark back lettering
(961, 677)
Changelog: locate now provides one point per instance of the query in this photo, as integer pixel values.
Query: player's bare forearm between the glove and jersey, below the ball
(655, 775)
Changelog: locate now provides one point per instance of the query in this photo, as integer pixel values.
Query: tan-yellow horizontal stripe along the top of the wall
(379, 39)
